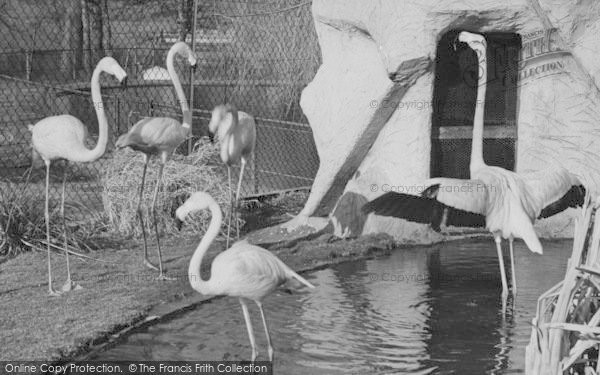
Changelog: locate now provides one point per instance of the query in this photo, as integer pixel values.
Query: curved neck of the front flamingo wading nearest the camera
(196, 281)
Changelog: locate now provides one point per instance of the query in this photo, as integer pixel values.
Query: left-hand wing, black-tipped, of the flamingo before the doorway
(446, 201)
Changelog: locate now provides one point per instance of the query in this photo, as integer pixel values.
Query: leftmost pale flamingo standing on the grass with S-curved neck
(63, 137)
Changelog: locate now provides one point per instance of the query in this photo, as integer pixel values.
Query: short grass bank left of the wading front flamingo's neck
(116, 291)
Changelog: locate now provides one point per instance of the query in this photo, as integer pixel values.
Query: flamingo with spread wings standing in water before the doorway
(505, 202)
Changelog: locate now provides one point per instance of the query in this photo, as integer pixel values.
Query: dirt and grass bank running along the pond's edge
(120, 294)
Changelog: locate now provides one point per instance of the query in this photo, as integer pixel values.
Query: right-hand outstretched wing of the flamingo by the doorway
(553, 191)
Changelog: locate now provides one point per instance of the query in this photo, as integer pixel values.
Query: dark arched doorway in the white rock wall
(454, 96)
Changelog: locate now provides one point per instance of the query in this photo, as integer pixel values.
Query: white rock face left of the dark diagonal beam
(339, 97)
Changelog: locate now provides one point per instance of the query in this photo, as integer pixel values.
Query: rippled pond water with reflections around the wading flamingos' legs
(427, 310)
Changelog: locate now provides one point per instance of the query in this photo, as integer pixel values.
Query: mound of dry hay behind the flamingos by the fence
(201, 170)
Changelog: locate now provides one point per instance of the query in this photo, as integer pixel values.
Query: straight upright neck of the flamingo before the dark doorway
(477, 141)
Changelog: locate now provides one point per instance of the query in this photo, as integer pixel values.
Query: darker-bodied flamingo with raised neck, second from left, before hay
(160, 136)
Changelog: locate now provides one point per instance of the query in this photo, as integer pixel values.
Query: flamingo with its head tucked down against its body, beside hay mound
(236, 132)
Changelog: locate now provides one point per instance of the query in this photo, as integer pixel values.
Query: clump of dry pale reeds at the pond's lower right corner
(565, 334)
